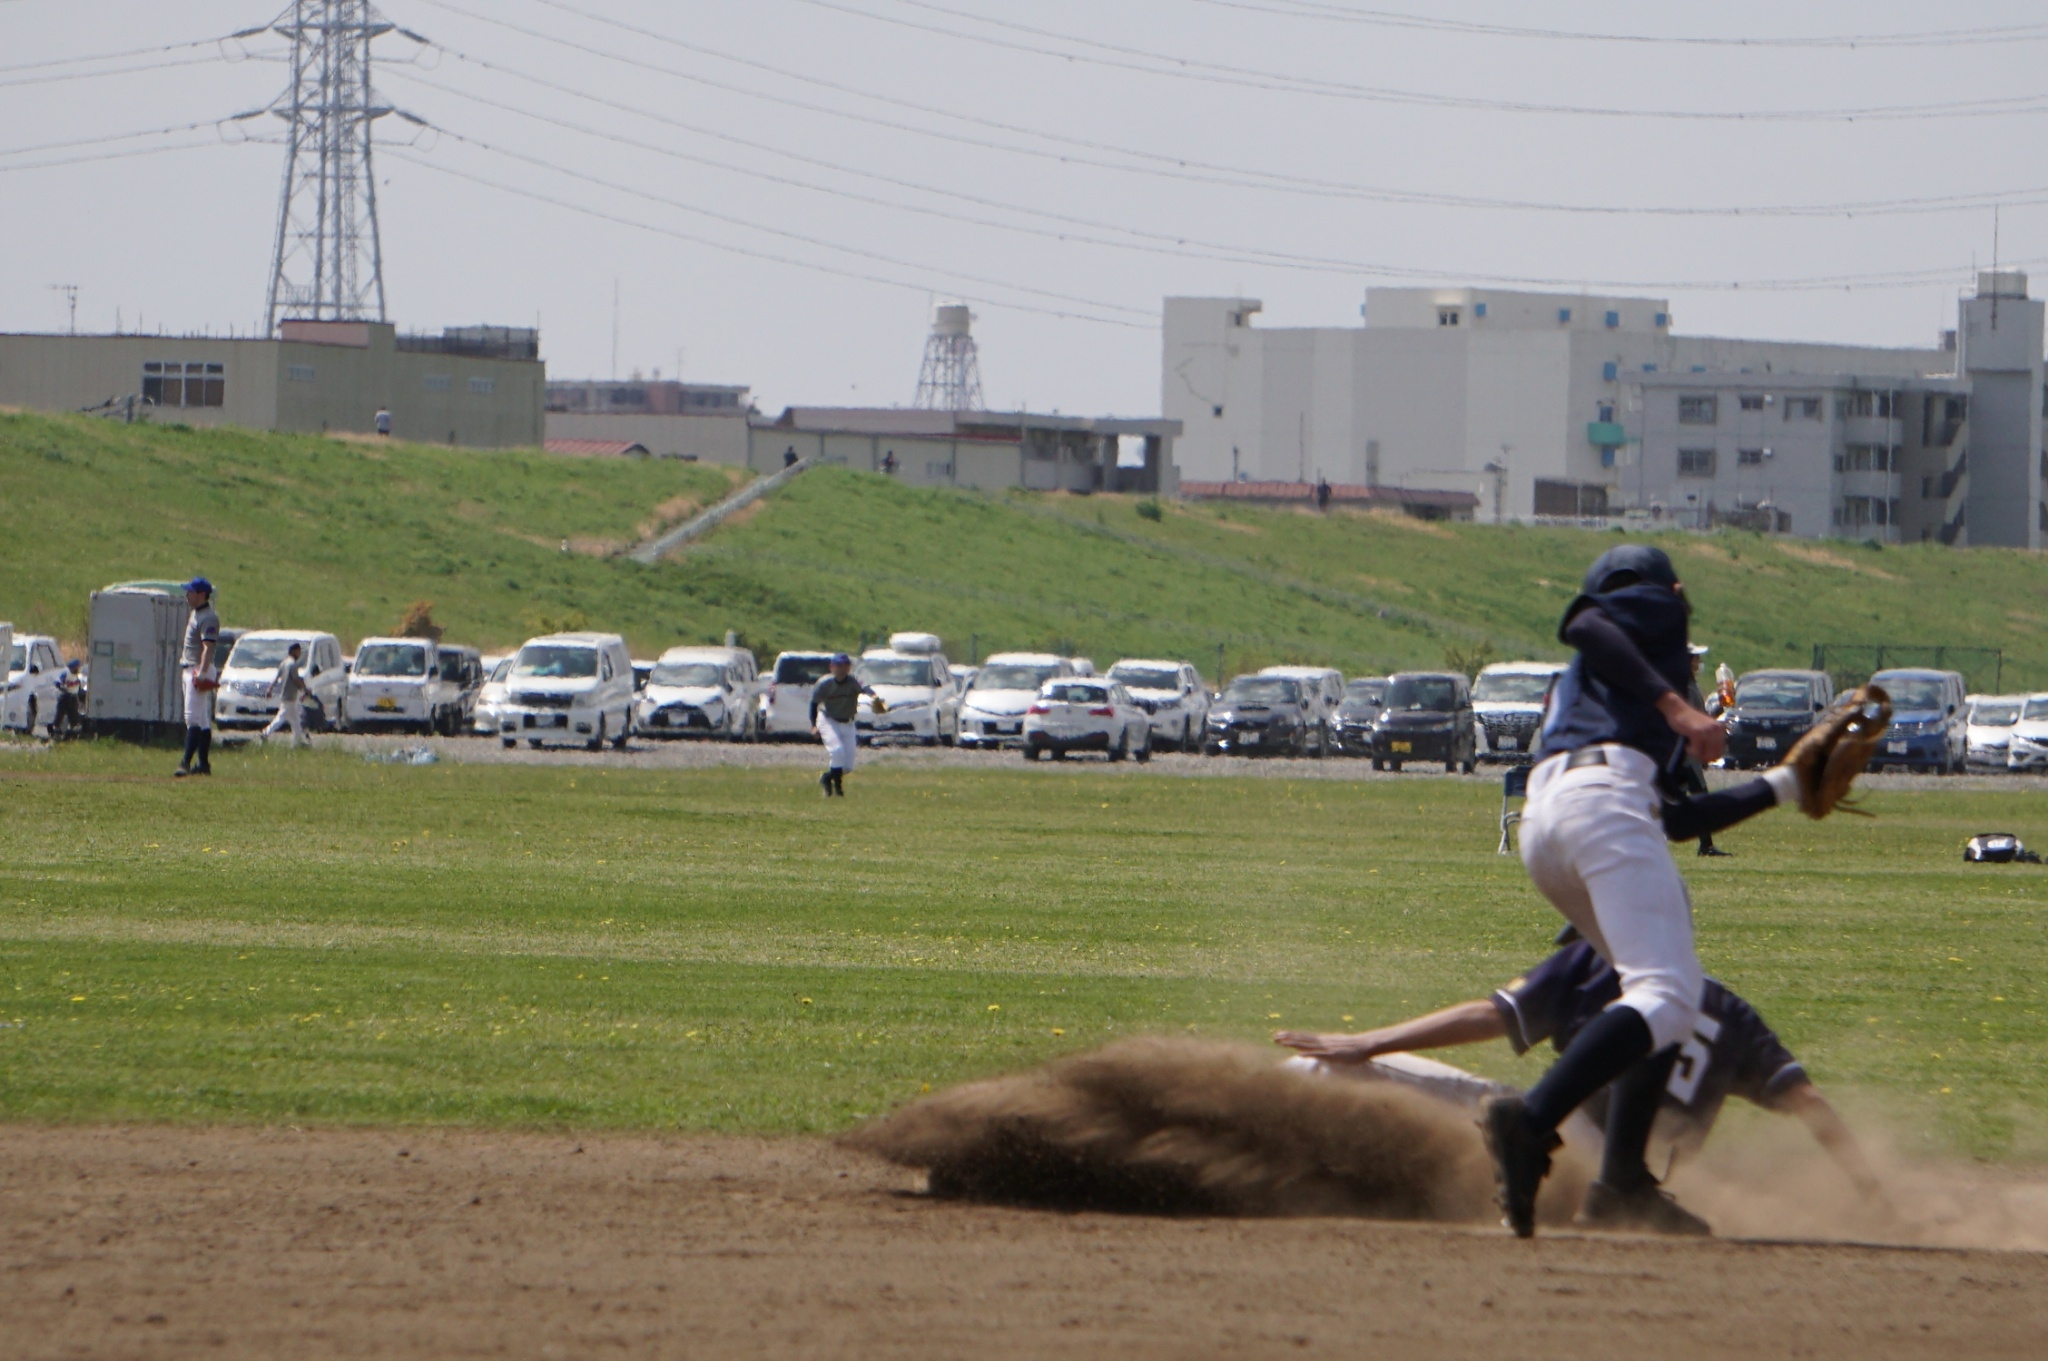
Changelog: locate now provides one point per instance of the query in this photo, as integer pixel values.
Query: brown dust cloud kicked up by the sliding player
(1181, 1127)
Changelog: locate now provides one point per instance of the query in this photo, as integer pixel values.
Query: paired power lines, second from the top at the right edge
(1252, 79)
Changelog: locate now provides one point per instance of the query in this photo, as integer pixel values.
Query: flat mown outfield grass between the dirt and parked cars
(310, 938)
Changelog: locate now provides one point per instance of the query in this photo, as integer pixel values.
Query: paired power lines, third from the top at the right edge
(1164, 167)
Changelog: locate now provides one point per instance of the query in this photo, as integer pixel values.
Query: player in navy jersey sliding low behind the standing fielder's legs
(1732, 1053)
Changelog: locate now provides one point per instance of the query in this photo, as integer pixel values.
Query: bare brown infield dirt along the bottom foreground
(439, 1243)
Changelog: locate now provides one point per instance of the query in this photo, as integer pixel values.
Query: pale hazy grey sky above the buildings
(1125, 152)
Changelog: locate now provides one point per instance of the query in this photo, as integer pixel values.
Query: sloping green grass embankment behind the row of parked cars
(341, 535)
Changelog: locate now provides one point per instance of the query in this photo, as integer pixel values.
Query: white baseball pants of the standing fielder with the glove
(1592, 838)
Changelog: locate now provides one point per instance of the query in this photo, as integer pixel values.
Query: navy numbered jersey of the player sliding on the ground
(1730, 1053)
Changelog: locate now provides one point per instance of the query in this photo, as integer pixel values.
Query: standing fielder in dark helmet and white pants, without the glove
(1605, 797)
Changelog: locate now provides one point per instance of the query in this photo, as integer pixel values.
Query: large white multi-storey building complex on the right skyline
(1547, 406)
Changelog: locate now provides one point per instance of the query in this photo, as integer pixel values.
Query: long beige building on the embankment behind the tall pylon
(476, 388)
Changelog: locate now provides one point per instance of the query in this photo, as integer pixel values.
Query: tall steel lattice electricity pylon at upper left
(329, 261)
